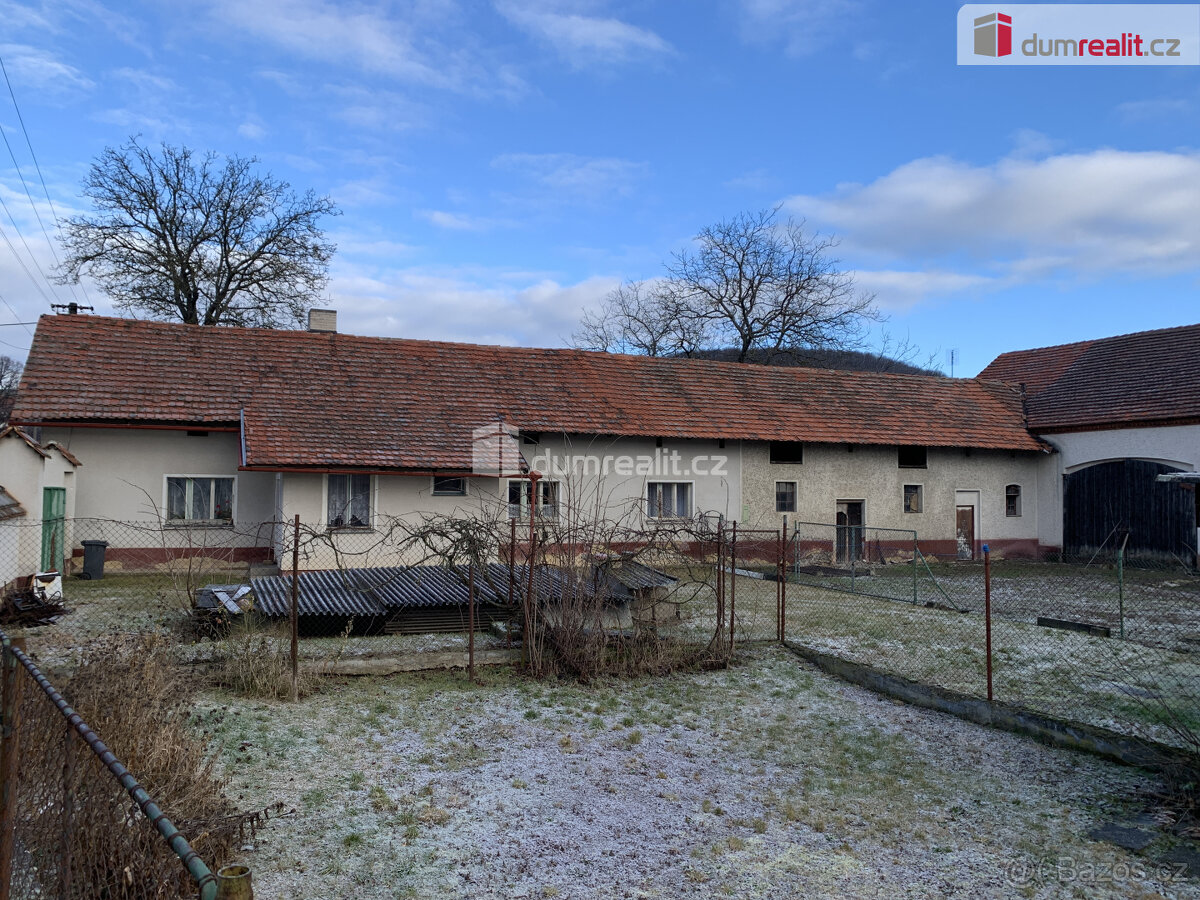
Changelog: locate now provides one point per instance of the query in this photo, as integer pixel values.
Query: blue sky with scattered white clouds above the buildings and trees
(503, 165)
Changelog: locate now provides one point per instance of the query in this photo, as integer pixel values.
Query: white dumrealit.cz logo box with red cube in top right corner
(1078, 34)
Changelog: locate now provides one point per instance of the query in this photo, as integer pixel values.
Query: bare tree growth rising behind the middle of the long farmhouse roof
(752, 284)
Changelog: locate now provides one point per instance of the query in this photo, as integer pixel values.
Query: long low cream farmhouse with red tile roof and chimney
(219, 433)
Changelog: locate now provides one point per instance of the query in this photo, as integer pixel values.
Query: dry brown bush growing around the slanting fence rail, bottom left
(135, 697)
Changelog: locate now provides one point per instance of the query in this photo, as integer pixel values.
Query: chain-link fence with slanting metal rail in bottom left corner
(74, 821)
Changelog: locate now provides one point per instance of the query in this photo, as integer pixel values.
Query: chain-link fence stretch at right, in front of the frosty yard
(1100, 640)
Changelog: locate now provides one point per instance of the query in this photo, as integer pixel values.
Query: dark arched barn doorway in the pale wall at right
(1103, 502)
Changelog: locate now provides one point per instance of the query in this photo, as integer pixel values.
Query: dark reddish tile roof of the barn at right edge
(1145, 379)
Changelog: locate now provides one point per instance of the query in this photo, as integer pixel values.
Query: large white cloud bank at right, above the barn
(1076, 214)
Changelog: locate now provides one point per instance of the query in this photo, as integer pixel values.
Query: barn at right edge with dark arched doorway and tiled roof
(1120, 412)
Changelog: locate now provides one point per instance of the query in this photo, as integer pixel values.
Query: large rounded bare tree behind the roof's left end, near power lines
(196, 239)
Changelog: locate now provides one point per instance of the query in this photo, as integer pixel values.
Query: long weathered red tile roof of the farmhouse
(331, 400)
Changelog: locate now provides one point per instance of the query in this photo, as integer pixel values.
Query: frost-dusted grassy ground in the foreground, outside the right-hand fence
(766, 781)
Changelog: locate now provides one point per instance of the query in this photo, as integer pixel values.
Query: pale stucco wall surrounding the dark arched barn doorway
(1179, 446)
